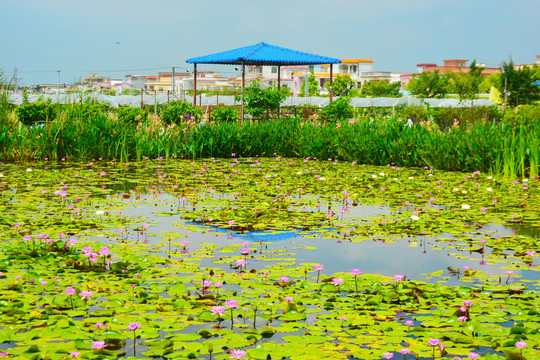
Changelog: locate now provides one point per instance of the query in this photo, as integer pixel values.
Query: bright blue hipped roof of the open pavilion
(263, 54)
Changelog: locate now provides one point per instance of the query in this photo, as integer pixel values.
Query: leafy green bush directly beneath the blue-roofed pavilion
(258, 100)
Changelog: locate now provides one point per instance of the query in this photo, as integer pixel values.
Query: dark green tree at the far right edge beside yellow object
(519, 83)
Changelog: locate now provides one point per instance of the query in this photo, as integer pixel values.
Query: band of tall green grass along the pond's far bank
(484, 146)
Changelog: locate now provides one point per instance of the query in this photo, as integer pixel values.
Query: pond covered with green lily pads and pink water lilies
(266, 258)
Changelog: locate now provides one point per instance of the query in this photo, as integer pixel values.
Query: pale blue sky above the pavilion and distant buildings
(119, 37)
